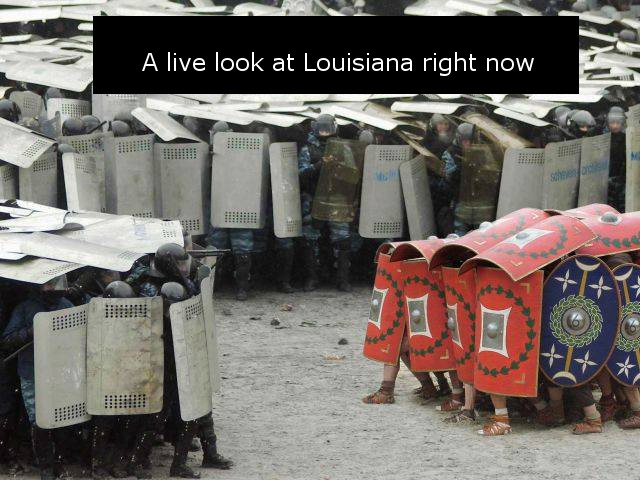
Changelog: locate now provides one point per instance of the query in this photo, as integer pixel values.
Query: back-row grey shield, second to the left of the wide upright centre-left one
(128, 167)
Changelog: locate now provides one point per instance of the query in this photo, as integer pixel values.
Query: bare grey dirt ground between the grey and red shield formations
(290, 408)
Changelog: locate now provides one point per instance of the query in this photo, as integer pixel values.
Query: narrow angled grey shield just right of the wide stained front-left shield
(191, 356)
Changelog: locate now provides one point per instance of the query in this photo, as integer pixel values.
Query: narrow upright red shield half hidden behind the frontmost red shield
(460, 293)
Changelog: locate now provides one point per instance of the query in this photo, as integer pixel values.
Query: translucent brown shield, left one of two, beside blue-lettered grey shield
(338, 188)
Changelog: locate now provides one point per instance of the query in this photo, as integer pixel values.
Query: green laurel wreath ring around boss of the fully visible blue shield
(588, 306)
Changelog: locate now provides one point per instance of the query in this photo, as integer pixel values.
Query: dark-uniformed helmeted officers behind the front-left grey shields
(117, 446)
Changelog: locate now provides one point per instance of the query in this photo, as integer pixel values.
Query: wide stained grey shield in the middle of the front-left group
(125, 356)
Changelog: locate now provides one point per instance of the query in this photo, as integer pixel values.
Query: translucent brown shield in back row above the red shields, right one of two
(479, 185)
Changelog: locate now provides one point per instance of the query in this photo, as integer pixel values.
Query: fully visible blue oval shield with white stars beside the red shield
(580, 315)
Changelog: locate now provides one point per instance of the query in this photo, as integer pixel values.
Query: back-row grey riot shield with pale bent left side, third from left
(82, 184)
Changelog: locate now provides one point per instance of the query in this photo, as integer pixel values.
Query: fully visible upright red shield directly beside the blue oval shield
(507, 333)
